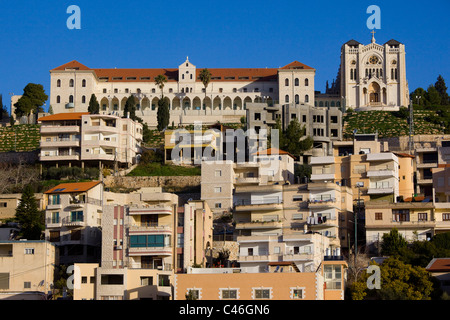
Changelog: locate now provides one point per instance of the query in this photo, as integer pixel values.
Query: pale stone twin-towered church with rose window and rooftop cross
(373, 76)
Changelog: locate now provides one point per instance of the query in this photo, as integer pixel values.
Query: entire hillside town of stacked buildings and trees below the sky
(192, 183)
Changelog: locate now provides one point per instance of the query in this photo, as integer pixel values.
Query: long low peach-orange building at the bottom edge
(327, 282)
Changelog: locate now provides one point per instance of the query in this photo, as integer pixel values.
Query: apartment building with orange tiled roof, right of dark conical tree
(73, 214)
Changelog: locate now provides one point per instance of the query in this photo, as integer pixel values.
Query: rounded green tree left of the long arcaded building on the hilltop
(32, 100)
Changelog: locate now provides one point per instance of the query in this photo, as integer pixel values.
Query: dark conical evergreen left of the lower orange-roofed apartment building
(30, 218)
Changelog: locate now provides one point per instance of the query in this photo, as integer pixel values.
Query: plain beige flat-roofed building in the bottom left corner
(27, 269)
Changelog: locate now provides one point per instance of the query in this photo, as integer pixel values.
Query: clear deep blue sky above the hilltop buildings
(34, 37)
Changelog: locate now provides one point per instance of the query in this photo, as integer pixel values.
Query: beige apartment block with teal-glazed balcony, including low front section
(145, 240)
